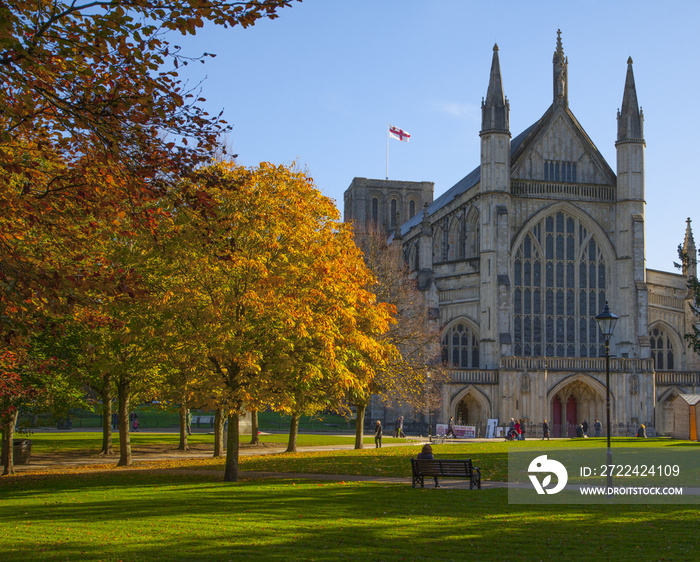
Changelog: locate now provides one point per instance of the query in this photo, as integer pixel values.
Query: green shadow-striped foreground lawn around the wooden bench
(175, 514)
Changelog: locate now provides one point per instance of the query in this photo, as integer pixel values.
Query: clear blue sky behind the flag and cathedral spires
(318, 85)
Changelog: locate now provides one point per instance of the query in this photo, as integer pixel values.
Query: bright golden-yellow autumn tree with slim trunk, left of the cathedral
(276, 275)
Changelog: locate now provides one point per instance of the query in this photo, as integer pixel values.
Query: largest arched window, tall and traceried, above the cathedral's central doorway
(559, 276)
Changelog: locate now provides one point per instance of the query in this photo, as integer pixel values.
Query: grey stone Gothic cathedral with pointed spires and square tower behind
(519, 257)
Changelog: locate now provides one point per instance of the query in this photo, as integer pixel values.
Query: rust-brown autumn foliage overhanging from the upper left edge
(95, 124)
